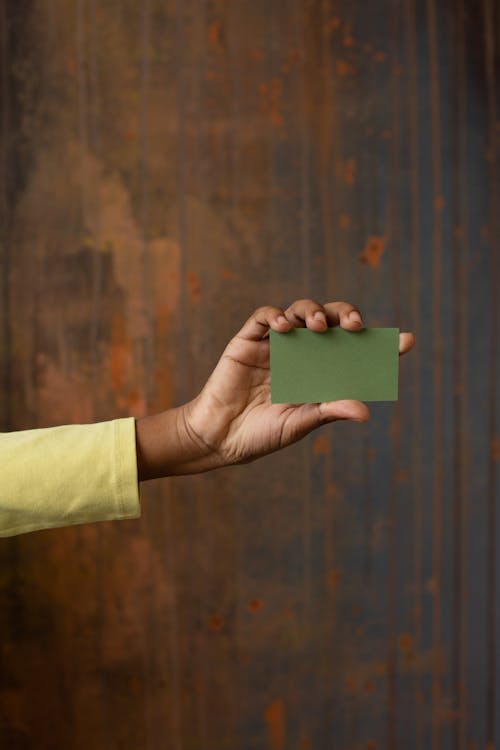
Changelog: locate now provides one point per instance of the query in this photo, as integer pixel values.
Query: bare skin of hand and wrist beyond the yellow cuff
(232, 421)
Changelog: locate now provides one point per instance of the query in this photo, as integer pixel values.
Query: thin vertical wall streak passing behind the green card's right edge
(394, 234)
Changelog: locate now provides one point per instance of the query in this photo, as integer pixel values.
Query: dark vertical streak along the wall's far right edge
(489, 51)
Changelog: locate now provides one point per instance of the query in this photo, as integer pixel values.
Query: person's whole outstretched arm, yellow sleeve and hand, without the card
(81, 473)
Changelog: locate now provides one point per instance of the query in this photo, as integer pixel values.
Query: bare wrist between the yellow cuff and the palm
(167, 446)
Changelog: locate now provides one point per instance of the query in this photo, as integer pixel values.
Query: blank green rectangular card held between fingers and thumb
(310, 367)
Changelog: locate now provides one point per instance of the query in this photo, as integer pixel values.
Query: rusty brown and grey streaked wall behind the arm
(166, 167)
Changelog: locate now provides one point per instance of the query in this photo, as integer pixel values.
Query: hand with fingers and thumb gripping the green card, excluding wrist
(233, 421)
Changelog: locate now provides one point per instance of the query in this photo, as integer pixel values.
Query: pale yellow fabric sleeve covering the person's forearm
(59, 476)
